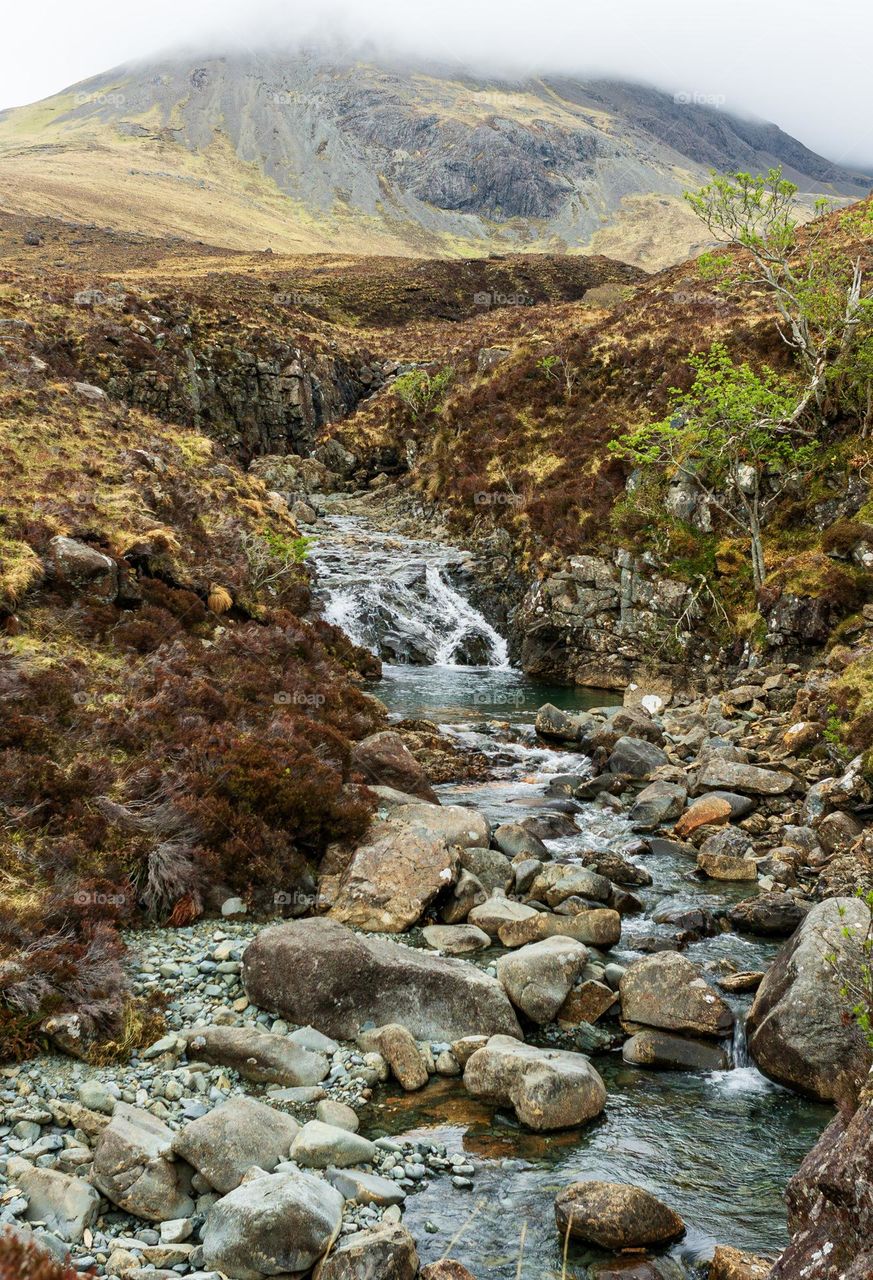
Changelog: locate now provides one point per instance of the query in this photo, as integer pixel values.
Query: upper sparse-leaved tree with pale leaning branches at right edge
(815, 277)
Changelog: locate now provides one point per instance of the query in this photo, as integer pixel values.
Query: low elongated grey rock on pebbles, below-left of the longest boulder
(258, 1057)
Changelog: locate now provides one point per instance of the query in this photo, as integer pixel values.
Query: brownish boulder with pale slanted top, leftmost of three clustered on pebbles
(135, 1168)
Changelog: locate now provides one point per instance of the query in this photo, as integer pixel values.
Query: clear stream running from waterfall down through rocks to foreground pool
(719, 1148)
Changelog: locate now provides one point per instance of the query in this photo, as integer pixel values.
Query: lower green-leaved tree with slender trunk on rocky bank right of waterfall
(735, 436)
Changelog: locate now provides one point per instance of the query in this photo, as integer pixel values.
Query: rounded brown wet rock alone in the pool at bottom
(615, 1217)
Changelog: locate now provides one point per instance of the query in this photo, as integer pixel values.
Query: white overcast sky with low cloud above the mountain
(801, 63)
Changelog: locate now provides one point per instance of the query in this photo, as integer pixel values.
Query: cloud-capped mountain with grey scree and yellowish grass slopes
(308, 153)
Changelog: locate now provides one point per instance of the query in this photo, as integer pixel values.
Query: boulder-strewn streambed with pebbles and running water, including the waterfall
(524, 1025)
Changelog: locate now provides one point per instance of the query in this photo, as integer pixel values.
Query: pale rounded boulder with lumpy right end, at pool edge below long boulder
(547, 1089)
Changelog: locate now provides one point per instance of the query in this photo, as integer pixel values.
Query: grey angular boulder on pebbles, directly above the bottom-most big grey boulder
(226, 1142)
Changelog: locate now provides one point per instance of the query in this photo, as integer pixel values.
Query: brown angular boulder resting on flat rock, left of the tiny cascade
(668, 991)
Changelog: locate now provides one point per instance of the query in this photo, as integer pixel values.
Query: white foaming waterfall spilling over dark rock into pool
(394, 596)
